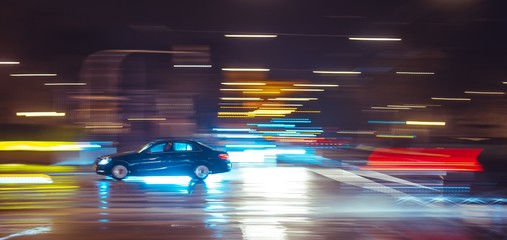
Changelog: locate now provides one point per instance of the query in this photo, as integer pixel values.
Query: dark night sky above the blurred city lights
(463, 41)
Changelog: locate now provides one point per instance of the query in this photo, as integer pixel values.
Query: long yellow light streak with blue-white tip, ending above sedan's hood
(45, 146)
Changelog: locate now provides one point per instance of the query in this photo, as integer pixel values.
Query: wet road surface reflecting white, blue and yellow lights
(251, 203)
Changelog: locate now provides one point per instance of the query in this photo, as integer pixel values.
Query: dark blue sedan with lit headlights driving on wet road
(165, 157)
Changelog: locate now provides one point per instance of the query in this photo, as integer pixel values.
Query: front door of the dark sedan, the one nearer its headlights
(153, 160)
